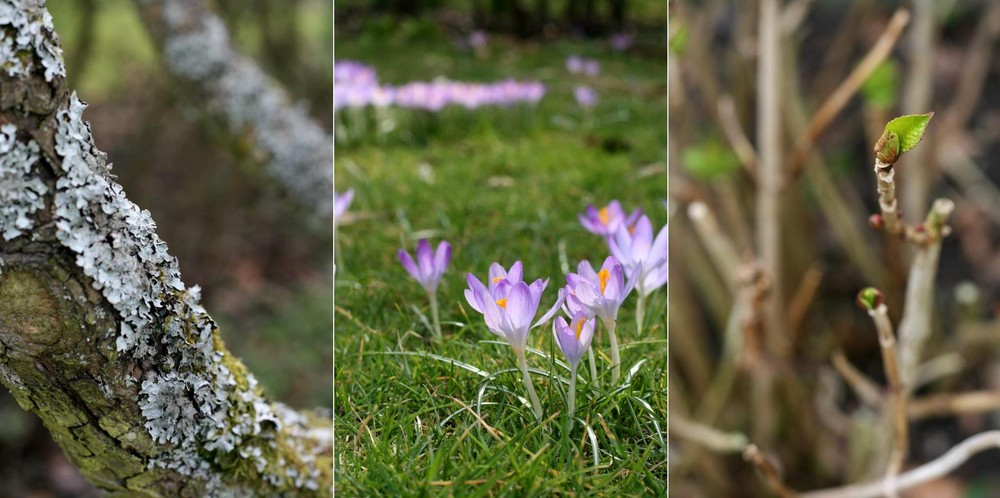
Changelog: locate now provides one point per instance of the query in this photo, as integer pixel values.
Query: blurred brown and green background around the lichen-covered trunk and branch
(264, 269)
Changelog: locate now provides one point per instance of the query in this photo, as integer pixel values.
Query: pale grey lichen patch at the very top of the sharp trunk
(27, 38)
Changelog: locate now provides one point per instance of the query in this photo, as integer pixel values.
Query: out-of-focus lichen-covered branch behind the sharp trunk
(298, 152)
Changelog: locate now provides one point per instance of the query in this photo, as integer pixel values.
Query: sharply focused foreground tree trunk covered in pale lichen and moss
(98, 334)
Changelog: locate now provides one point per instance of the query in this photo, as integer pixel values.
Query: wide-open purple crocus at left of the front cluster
(508, 307)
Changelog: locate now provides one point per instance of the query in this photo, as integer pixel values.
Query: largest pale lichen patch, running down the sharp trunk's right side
(191, 401)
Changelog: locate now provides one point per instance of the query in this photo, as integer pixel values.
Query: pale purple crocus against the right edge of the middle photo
(635, 247)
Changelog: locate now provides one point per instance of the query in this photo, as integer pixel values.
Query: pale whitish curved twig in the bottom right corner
(934, 469)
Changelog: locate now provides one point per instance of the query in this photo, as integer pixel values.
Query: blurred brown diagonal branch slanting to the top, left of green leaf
(847, 88)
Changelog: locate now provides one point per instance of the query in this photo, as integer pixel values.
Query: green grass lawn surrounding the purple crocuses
(500, 186)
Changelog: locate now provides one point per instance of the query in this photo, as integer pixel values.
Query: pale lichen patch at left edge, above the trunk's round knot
(21, 192)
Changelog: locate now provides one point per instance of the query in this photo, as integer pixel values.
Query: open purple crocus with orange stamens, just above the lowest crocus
(601, 293)
